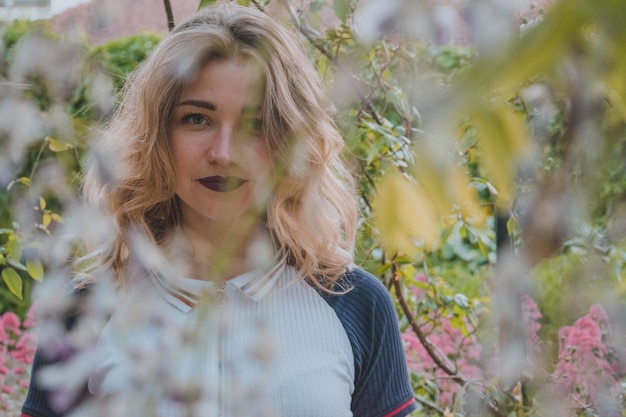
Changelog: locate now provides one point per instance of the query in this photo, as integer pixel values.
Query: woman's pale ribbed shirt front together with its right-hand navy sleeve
(269, 346)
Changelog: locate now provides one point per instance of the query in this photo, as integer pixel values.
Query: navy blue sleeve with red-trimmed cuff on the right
(381, 381)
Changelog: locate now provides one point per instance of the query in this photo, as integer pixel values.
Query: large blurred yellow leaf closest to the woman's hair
(405, 215)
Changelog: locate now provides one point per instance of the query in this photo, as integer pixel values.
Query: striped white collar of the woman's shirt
(184, 293)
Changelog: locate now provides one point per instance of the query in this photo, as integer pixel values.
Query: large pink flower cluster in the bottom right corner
(587, 366)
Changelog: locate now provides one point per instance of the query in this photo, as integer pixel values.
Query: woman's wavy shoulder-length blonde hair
(312, 213)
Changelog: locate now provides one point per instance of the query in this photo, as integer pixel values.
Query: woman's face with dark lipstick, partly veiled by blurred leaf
(221, 161)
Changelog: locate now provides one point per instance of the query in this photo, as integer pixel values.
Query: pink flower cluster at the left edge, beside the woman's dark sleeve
(17, 349)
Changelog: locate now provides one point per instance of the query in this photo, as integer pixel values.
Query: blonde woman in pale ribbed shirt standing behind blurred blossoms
(229, 168)
